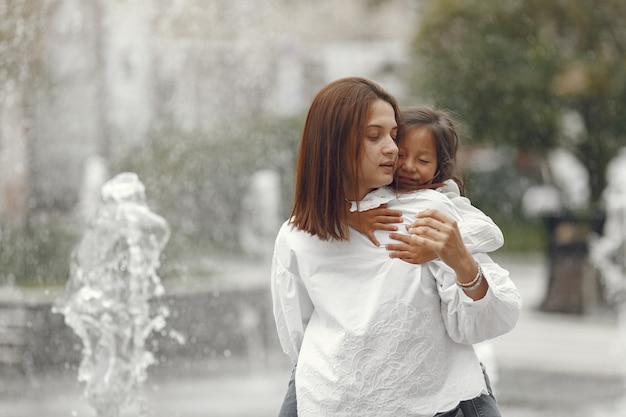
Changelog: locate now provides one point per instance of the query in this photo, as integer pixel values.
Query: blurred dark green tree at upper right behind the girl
(513, 68)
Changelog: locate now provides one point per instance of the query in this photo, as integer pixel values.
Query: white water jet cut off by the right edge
(608, 252)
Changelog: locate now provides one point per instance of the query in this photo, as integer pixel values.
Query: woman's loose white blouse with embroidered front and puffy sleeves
(376, 336)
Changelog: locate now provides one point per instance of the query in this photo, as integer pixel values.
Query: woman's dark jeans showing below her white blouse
(483, 406)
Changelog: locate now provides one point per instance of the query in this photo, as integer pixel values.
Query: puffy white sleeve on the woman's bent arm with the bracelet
(468, 321)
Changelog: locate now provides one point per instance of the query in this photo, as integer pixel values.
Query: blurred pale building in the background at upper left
(111, 70)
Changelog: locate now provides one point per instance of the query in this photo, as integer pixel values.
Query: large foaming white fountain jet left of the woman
(106, 301)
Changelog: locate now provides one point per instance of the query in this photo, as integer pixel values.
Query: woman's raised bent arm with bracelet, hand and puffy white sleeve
(479, 300)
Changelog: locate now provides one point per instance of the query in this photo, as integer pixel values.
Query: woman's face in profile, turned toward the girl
(379, 149)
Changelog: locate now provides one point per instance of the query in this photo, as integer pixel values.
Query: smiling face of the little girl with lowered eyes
(417, 159)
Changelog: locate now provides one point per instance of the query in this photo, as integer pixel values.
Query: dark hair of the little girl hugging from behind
(442, 126)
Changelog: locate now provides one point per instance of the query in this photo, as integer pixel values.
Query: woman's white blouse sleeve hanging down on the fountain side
(291, 304)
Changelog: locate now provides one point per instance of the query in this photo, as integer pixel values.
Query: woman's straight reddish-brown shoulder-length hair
(330, 149)
